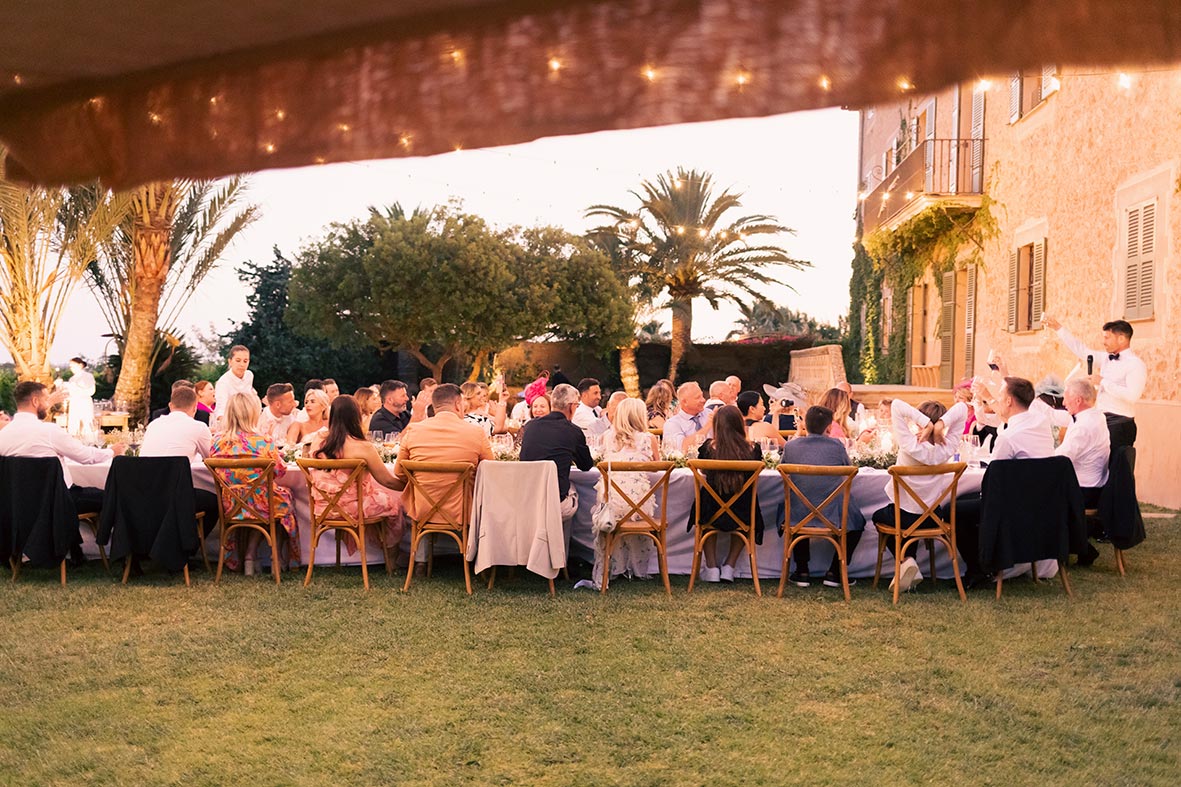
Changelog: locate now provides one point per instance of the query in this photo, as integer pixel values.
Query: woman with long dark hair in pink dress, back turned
(344, 439)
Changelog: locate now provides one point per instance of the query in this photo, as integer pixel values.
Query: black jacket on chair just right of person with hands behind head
(1032, 510)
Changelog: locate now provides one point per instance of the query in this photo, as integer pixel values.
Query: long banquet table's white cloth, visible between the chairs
(869, 496)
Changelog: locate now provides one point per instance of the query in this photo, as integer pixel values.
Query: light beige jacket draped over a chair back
(517, 518)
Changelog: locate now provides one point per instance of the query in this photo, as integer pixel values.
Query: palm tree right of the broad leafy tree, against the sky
(676, 243)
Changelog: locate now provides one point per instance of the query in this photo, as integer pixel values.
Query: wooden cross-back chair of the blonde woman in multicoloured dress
(243, 515)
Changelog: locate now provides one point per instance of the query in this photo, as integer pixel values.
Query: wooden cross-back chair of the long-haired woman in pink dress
(340, 519)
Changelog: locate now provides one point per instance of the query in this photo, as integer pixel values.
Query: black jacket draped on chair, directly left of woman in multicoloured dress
(149, 510)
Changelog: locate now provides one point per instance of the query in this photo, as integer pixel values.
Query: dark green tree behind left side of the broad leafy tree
(278, 355)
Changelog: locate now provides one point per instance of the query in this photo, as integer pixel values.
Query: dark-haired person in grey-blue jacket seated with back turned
(819, 450)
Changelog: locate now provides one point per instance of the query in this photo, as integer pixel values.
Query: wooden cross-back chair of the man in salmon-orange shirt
(438, 521)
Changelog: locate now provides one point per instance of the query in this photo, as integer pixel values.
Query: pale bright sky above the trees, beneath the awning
(800, 168)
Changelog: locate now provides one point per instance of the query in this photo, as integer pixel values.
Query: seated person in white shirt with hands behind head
(937, 441)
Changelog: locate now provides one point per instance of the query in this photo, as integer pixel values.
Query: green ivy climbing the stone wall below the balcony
(939, 238)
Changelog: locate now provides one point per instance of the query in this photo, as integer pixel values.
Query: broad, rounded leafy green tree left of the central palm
(443, 282)
